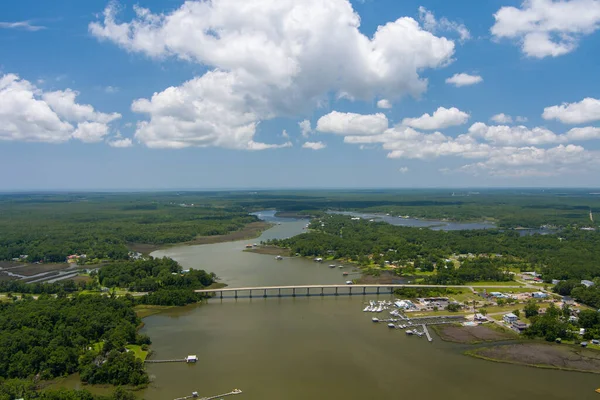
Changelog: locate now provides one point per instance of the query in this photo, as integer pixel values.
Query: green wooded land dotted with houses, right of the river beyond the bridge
(571, 254)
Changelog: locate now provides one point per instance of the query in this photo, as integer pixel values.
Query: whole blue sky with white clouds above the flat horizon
(105, 95)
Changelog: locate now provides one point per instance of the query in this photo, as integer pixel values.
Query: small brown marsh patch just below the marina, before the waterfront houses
(473, 334)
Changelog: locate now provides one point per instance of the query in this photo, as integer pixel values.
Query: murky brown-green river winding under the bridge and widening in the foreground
(317, 348)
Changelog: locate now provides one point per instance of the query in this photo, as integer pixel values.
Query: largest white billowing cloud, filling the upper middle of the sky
(268, 59)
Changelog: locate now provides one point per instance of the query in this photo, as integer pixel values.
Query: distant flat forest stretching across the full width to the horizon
(50, 226)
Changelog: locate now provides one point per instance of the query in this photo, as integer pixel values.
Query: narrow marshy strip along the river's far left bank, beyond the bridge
(250, 231)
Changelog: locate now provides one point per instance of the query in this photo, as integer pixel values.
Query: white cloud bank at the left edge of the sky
(28, 114)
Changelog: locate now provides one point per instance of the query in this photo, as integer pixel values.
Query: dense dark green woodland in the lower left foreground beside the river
(56, 336)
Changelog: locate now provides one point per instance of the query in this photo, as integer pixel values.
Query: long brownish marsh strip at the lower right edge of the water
(542, 355)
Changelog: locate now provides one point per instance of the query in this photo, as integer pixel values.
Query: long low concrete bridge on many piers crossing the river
(323, 290)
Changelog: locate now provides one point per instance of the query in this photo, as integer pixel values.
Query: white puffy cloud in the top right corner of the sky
(547, 27)
